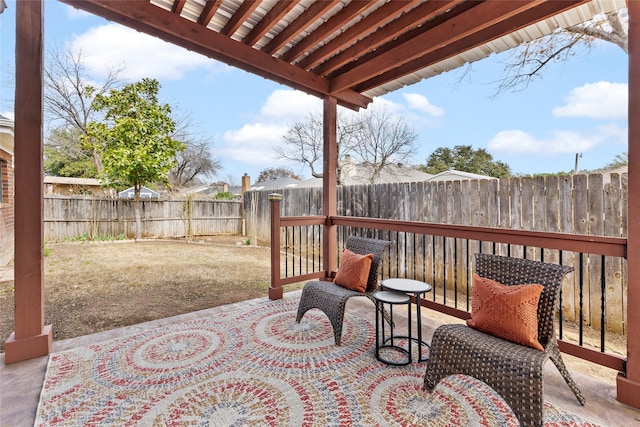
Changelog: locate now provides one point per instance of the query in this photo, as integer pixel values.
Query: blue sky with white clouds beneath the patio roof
(578, 107)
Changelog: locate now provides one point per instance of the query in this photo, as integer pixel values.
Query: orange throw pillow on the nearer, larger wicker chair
(508, 312)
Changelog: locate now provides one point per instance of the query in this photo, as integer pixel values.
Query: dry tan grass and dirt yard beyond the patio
(96, 286)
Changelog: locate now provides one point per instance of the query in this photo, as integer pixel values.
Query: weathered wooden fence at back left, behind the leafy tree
(67, 217)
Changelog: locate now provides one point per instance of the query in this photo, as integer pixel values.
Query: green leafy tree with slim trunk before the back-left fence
(135, 140)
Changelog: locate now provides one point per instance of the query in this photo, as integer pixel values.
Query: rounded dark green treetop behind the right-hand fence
(467, 159)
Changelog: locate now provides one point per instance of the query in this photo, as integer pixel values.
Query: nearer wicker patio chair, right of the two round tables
(513, 370)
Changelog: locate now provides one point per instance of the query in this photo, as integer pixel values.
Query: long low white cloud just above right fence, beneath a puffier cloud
(518, 142)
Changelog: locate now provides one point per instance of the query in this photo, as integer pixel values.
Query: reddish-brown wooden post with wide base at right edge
(628, 384)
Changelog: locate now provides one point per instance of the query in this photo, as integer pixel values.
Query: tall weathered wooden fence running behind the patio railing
(578, 204)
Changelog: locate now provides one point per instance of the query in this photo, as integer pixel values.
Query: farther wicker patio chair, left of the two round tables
(331, 298)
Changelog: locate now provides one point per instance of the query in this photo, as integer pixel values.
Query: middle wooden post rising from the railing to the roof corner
(329, 185)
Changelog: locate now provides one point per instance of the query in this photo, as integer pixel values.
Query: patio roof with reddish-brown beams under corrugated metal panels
(384, 47)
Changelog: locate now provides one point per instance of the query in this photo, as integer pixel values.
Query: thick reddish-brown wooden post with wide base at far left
(31, 338)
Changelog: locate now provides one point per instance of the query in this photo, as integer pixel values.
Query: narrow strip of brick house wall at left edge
(6, 209)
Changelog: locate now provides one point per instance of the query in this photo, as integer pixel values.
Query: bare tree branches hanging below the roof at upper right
(531, 60)
